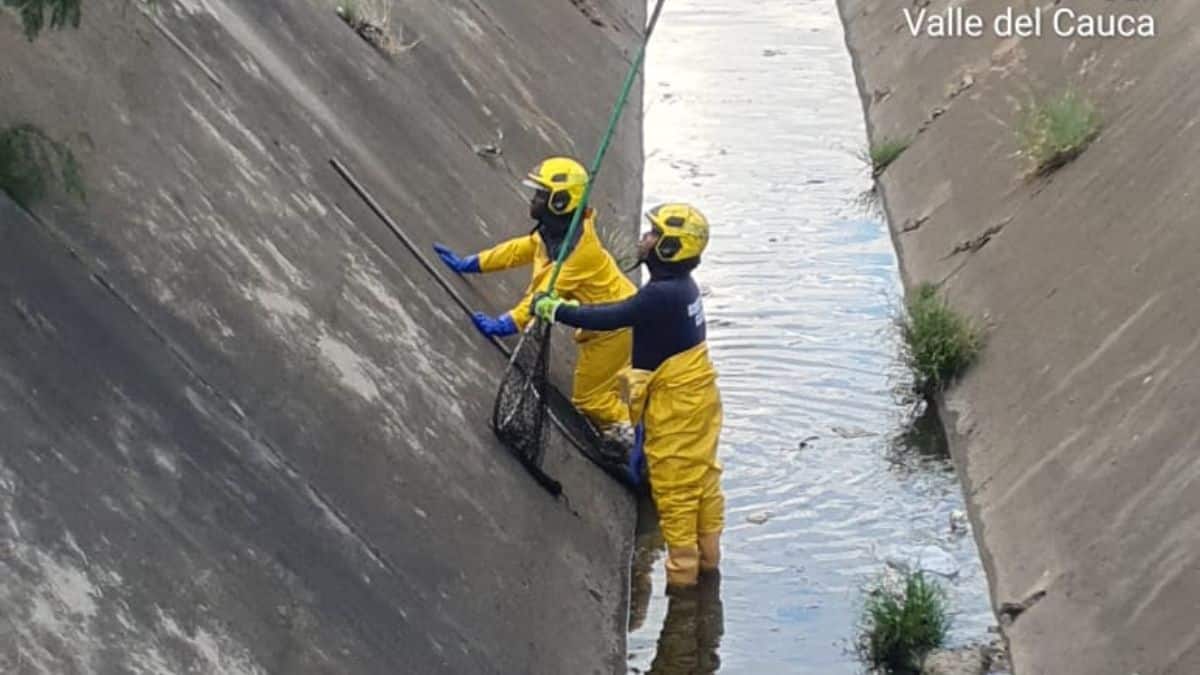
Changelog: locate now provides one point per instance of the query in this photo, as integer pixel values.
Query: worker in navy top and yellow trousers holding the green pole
(673, 387)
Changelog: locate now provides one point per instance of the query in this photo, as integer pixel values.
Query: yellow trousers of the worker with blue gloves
(597, 387)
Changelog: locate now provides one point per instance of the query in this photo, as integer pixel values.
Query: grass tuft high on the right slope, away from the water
(1055, 132)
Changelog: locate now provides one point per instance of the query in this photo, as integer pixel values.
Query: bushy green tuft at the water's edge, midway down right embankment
(940, 343)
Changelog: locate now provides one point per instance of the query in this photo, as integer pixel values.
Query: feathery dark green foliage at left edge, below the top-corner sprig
(32, 164)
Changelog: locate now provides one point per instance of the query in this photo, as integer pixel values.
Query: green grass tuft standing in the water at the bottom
(901, 628)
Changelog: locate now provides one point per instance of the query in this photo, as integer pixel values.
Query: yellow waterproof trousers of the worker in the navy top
(681, 409)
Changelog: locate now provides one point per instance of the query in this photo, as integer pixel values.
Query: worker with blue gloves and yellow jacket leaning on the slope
(590, 276)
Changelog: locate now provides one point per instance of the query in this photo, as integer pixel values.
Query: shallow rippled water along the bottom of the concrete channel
(754, 116)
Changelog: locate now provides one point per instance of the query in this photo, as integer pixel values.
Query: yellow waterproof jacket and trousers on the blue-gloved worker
(592, 277)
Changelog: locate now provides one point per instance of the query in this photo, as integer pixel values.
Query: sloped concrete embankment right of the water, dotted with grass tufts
(1076, 435)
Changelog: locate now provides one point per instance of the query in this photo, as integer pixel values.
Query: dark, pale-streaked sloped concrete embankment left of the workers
(243, 431)
